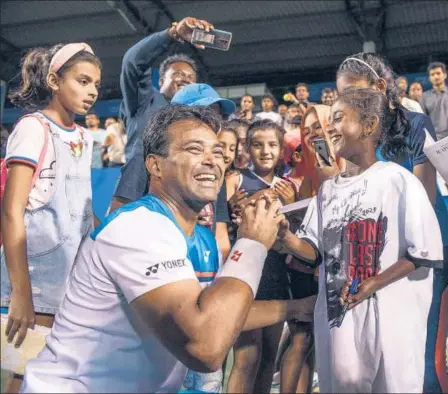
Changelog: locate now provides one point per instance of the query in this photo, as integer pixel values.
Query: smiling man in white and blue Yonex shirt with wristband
(134, 316)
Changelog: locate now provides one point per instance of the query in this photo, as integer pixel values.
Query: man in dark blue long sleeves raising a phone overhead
(141, 99)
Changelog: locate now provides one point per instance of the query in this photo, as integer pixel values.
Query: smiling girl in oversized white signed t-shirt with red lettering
(373, 223)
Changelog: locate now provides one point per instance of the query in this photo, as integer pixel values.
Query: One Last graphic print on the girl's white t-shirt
(352, 247)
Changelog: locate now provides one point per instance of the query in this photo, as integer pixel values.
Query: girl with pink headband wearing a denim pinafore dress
(47, 205)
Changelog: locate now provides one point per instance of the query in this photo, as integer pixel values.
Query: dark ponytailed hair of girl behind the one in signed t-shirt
(393, 140)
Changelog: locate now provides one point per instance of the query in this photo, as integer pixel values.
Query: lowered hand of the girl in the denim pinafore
(21, 317)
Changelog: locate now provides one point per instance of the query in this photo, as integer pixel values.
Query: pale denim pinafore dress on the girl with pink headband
(56, 230)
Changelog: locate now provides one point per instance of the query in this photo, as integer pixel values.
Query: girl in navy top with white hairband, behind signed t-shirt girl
(407, 131)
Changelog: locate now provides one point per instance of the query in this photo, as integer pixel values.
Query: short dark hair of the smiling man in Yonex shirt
(155, 136)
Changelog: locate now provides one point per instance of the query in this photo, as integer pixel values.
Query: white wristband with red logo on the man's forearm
(245, 262)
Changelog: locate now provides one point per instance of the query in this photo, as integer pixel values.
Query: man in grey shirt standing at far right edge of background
(435, 101)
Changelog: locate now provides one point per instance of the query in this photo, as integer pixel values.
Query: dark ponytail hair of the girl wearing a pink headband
(33, 92)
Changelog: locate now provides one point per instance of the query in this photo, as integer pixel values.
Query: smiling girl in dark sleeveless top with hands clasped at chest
(255, 350)
